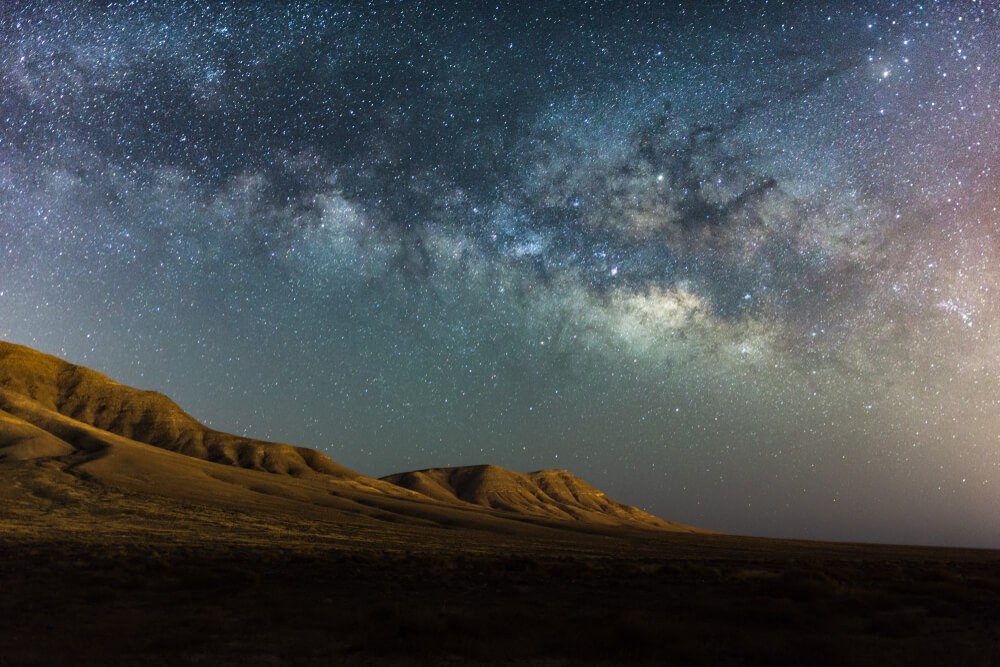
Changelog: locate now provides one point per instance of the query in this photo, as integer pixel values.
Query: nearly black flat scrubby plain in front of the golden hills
(260, 598)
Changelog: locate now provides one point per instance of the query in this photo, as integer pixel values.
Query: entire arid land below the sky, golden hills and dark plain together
(130, 534)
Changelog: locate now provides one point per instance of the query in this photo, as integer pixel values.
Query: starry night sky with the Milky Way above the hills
(733, 262)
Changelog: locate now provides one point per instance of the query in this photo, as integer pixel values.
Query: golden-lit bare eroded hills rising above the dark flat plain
(70, 435)
